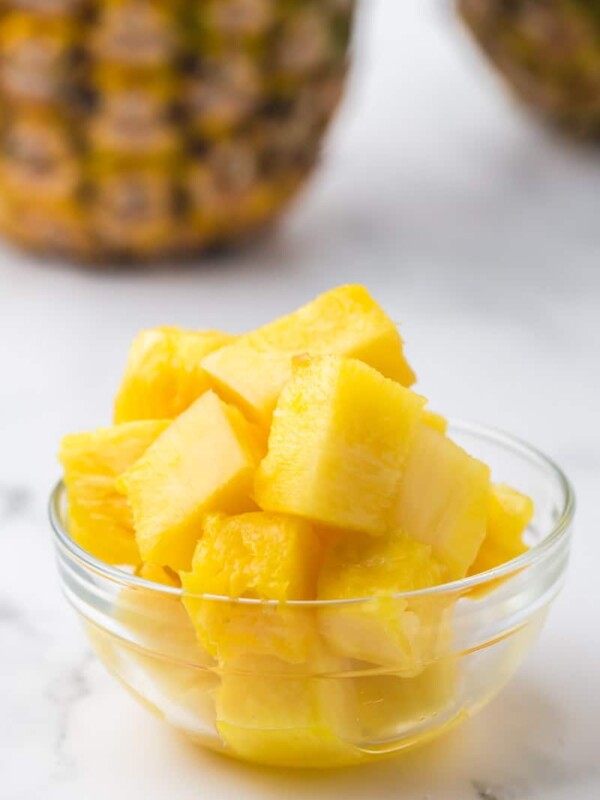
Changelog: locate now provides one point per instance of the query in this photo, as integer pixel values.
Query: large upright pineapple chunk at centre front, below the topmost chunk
(338, 445)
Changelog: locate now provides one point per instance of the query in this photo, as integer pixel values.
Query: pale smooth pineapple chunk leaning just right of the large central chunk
(443, 500)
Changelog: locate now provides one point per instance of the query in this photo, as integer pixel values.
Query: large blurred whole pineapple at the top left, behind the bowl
(135, 129)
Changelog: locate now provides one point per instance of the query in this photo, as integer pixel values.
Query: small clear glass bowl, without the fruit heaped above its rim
(285, 688)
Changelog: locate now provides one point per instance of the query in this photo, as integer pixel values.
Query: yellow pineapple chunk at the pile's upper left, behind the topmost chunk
(163, 376)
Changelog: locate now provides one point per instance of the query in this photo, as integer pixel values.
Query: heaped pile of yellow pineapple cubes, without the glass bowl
(291, 463)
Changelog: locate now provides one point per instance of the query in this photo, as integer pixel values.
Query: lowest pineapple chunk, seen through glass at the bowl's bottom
(276, 714)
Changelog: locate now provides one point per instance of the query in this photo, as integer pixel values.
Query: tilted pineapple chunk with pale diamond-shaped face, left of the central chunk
(204, 461)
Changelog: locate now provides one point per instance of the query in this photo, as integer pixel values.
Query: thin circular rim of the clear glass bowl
(560, 530)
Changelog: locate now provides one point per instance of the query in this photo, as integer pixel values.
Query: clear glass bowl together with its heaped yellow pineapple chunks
(279, 549)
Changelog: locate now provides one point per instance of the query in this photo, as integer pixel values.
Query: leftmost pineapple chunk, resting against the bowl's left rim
(100, 520)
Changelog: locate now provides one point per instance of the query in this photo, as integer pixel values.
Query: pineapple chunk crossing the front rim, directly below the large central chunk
(393, 631)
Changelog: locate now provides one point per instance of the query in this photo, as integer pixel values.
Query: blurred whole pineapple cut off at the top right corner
(548, 51)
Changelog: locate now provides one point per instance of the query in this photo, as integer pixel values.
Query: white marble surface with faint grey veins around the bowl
(480, 233)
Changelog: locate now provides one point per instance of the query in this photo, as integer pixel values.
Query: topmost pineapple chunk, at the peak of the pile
(252, 371)
